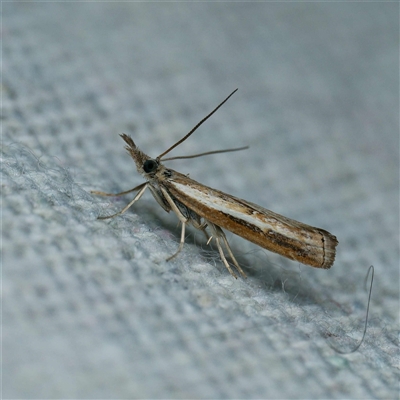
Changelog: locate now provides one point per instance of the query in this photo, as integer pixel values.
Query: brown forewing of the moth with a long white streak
(289, 238)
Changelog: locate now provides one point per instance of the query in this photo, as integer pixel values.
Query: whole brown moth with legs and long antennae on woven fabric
(207, 208)
